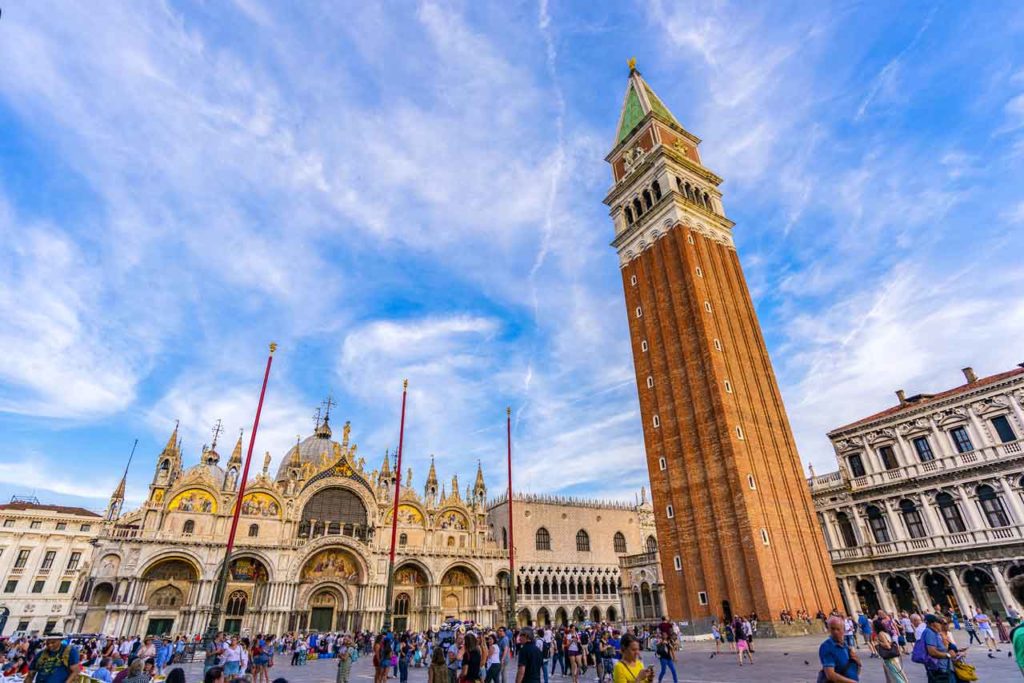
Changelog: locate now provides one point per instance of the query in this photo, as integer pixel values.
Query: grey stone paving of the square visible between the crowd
(781, 661)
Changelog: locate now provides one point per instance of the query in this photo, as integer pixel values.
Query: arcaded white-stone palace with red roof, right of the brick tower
(927, 506)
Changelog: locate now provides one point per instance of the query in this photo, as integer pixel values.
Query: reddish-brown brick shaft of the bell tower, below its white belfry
(724, 488)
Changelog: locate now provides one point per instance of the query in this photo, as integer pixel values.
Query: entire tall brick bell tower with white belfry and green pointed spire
(737, 528)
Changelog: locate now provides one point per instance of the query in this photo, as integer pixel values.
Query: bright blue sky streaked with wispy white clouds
(414, 190)
